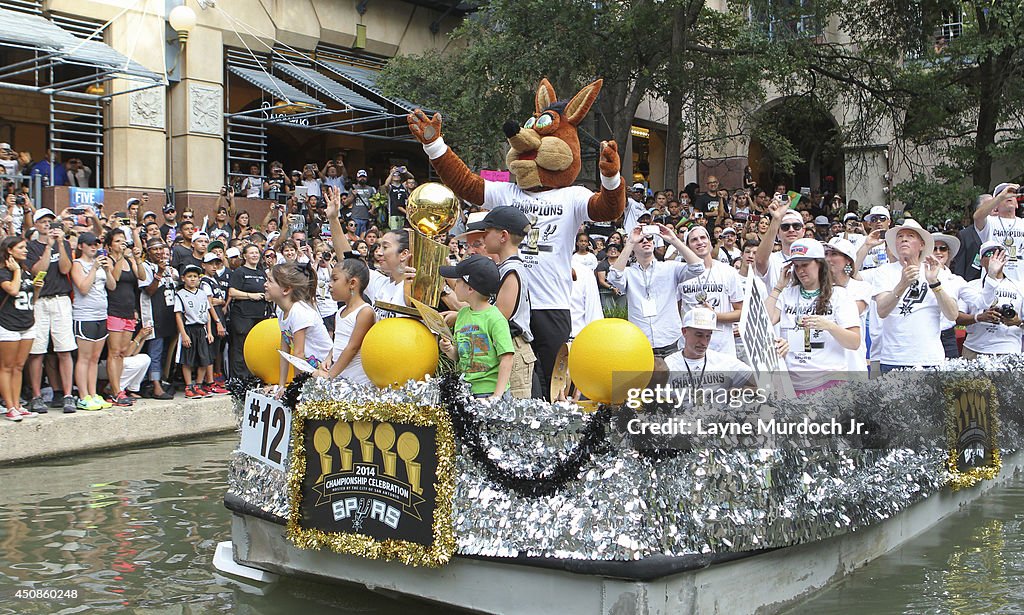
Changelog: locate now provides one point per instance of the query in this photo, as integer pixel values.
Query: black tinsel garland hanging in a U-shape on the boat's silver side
(542, 485)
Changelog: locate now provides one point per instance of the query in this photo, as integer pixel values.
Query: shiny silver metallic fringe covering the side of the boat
(630, 504)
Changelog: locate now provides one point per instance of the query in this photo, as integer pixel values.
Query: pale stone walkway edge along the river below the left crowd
(56, 434)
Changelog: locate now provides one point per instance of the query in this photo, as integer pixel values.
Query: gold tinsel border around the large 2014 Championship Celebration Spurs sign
(444, 544)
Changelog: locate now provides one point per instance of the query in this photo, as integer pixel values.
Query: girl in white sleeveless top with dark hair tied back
(349, 282)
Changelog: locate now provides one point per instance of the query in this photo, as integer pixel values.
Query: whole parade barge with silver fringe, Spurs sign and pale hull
(538, 508)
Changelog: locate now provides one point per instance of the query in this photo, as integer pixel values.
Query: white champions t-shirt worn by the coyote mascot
(556, 216)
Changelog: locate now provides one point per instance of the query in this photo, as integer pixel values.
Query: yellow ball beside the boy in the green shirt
(397, 350)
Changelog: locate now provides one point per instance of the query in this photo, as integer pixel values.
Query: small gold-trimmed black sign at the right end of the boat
(972, 403)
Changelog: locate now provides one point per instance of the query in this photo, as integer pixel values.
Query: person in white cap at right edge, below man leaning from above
(995, 325)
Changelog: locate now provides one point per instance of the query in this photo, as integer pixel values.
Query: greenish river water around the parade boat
(136, 532)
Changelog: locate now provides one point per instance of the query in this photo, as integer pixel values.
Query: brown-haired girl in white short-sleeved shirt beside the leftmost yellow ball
(291, 288)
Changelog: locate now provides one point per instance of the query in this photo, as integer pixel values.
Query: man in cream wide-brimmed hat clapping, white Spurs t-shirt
(912, 301)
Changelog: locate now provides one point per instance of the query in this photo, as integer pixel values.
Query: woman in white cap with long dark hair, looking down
(818, 318)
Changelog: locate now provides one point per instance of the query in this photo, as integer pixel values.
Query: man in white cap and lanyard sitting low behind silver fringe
(697, 367)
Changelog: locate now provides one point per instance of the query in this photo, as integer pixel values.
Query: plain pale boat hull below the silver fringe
(764, 583)
